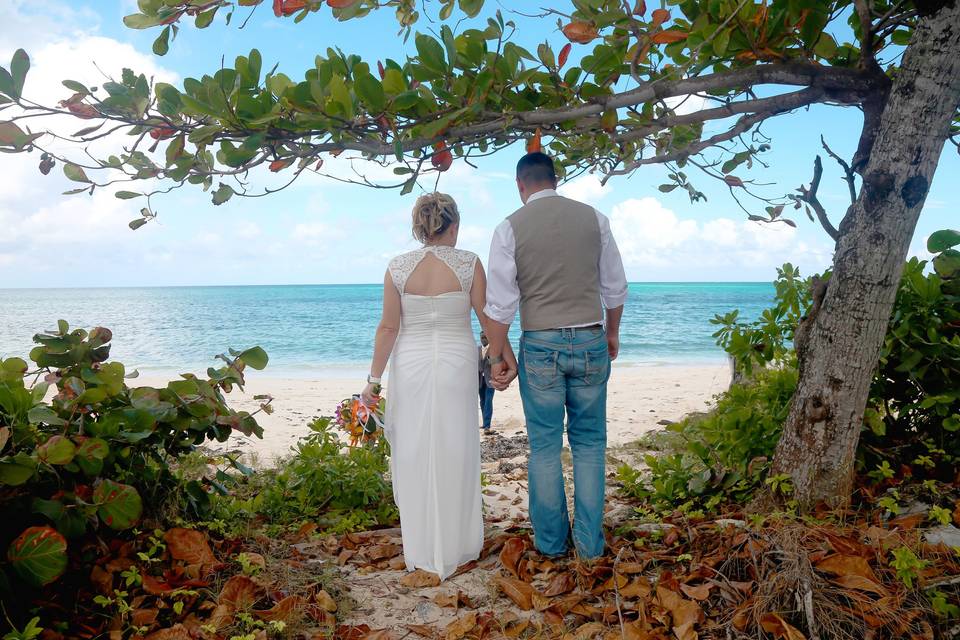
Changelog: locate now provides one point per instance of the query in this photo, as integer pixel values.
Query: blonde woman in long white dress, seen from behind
(431, 421)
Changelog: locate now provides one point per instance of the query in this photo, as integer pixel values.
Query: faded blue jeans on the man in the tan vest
(566, 371)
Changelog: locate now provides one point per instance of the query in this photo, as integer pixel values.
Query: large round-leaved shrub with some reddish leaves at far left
(82, 450)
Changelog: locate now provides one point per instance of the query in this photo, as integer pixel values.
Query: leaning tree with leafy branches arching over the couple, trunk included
(612, 111)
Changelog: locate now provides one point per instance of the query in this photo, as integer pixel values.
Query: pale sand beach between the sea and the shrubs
(640, 397)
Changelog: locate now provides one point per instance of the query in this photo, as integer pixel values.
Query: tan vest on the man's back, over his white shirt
(557, 256)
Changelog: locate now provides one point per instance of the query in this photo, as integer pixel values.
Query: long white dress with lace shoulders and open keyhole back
(431, 421)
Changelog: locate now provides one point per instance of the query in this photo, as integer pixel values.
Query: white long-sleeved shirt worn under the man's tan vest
(503, 292)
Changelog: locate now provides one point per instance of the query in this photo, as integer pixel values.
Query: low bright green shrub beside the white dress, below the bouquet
(338, 487)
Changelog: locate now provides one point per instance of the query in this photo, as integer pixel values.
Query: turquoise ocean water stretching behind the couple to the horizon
(315, 331)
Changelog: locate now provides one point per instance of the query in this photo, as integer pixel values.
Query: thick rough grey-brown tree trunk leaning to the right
(838, 345)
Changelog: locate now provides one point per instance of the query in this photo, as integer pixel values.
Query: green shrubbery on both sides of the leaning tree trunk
(912, 415)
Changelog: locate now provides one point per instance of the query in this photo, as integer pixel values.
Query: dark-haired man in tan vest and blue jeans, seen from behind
(556, 260)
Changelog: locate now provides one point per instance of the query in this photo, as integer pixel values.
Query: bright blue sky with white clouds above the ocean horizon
(321, 231)
